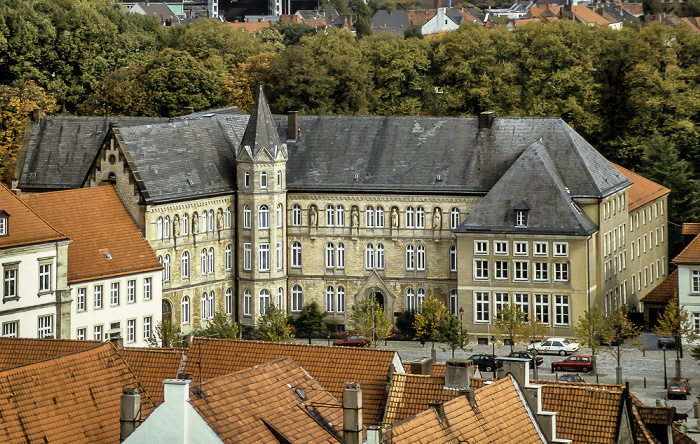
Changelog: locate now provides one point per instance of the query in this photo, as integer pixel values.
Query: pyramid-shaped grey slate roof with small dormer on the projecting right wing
(531, 182)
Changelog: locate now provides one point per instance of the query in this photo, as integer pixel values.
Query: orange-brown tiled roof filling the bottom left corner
(70, 399)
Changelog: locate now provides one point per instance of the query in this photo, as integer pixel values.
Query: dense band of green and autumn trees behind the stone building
(634, 94)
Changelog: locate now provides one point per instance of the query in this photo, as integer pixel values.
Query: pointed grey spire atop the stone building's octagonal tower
(261, 133)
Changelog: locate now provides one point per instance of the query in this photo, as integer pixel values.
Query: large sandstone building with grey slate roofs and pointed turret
(245, 210)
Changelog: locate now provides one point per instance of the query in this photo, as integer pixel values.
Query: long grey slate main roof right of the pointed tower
(407, 154)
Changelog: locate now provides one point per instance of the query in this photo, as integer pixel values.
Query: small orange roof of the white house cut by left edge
(24, 226)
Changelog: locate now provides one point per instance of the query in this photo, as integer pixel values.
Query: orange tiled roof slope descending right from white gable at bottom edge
(243, 407)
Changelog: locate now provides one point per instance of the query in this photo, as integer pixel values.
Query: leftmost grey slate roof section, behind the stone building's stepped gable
(61, 149)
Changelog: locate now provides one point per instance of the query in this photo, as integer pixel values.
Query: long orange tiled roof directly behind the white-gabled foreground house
(330, 366)
